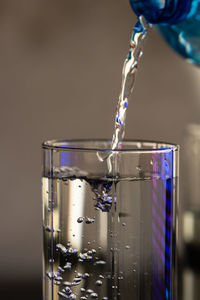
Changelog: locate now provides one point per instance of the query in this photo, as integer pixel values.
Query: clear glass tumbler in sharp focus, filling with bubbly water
(109, 220)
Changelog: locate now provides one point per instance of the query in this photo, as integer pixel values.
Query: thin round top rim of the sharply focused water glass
(68, 145)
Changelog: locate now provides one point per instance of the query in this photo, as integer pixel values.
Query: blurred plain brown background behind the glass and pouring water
(60, 76)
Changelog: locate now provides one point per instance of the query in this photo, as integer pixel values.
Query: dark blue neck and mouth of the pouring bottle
(161, 11)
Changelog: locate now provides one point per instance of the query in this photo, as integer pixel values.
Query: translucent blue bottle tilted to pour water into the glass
(177, 20)
